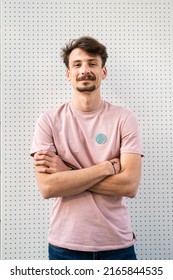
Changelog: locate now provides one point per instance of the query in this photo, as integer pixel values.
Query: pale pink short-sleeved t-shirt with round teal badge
(88, 221)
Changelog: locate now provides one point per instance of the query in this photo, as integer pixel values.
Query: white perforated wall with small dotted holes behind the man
(138, 35)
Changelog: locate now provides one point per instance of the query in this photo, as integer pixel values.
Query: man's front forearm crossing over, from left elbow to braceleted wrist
(67, 183)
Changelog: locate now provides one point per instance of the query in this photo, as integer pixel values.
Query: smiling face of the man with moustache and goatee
(85, 71)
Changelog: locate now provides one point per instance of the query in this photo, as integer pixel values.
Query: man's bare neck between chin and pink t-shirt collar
(86, 102)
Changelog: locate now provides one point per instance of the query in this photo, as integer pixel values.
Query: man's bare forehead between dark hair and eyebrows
(79, 54)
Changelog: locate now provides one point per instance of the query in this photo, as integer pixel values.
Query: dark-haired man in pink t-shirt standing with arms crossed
(88, 157)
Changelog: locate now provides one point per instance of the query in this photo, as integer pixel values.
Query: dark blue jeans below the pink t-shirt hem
(58, 253)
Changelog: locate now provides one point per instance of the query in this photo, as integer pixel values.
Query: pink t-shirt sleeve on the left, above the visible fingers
(43, 137)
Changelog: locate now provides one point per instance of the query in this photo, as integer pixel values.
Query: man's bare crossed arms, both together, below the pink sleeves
(55, 178)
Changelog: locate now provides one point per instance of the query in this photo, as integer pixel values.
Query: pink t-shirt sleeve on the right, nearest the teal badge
(130, 135)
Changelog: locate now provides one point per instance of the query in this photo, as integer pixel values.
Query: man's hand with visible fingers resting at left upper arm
(49, 162)
